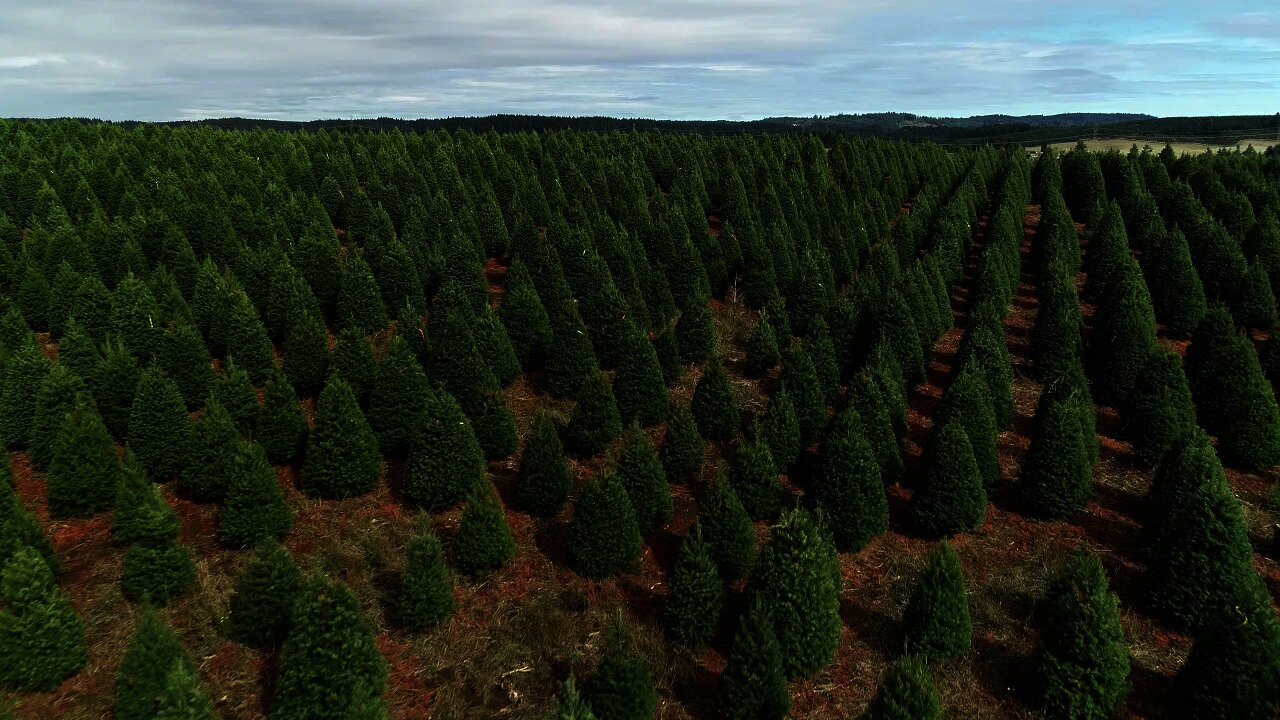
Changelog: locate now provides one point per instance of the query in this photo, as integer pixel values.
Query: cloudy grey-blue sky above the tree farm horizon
(737, 60)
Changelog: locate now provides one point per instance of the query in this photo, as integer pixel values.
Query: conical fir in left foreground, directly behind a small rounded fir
(255, 509)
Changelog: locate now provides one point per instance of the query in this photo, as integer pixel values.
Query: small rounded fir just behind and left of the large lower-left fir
(263, 605)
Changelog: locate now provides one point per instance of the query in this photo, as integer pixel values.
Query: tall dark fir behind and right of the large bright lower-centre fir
(849, 491)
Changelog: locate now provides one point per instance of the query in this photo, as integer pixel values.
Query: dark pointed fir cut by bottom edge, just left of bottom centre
(621, 686)
